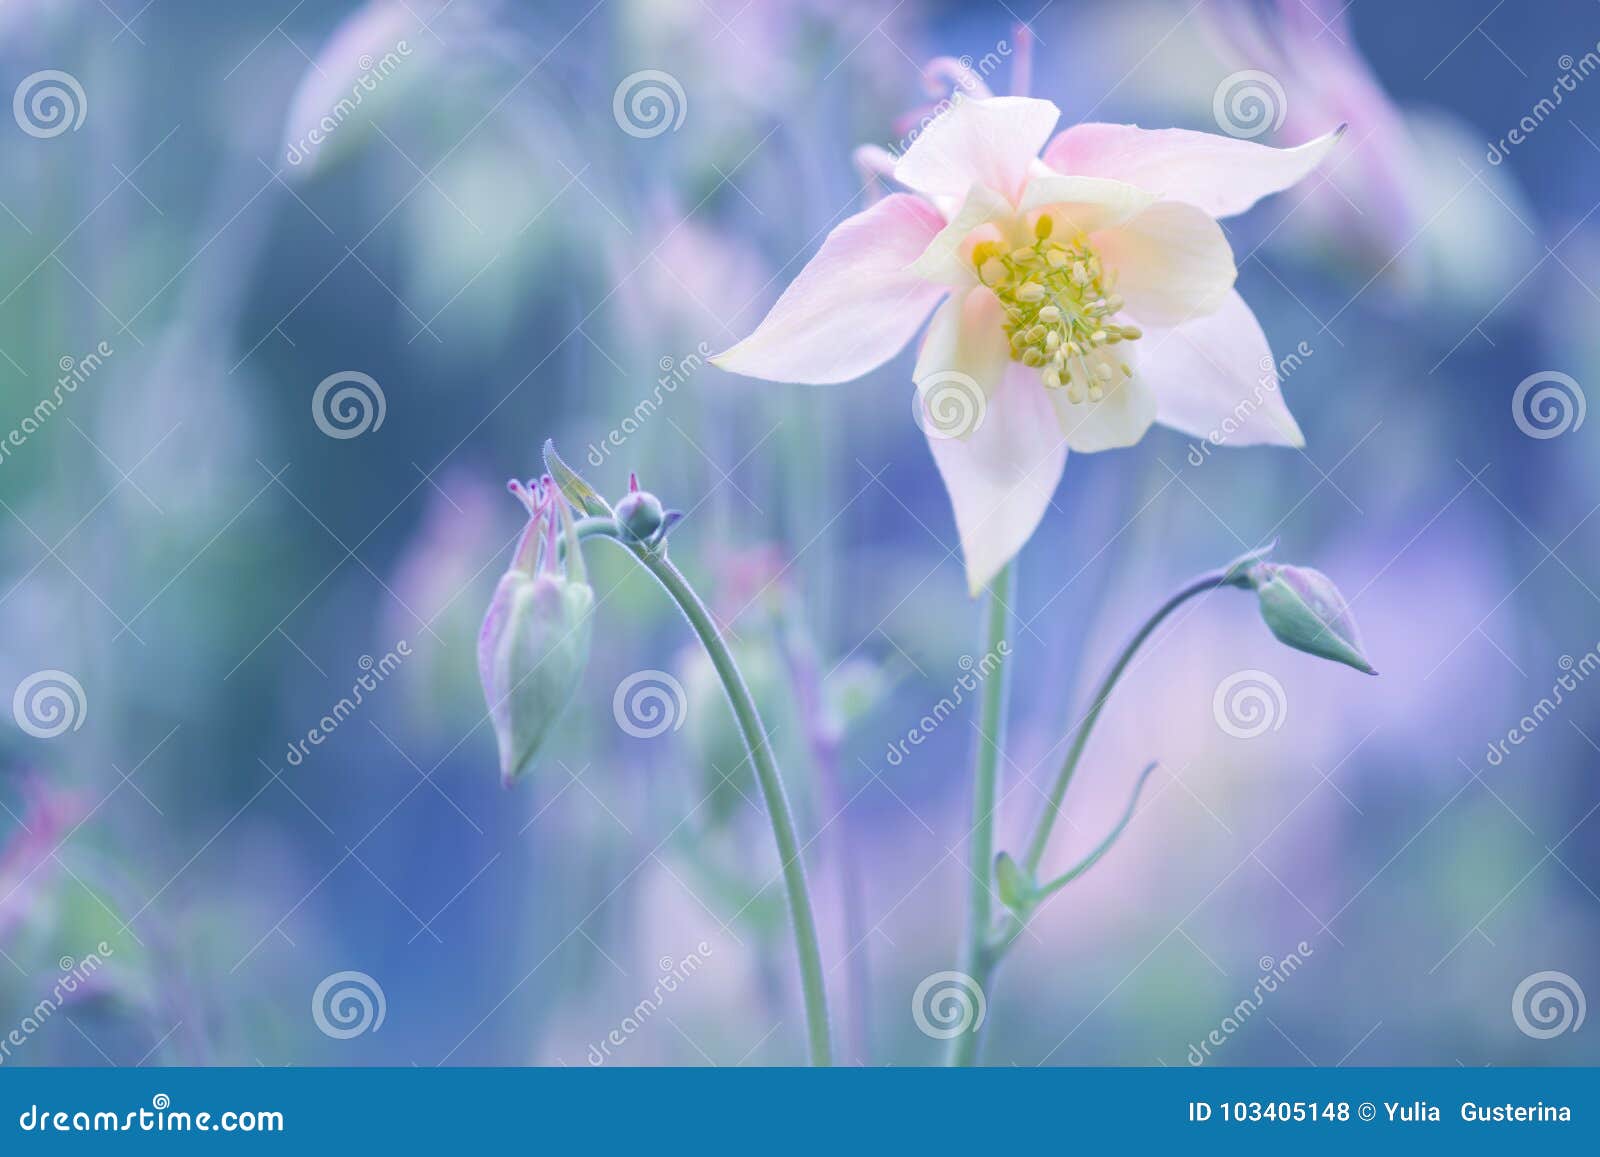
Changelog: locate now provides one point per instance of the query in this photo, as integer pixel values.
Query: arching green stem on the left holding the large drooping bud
(671, 578)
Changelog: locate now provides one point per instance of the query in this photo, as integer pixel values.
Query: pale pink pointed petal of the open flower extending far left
(854, 306)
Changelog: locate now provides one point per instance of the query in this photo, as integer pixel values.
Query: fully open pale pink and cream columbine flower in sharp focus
(1087, 294)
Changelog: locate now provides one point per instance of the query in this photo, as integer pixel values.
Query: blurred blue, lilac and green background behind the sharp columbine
(506, 255)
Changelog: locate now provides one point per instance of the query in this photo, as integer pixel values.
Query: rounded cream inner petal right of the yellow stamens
(1172, 263)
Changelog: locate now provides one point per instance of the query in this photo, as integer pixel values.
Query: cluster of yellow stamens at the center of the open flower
(1058, 303)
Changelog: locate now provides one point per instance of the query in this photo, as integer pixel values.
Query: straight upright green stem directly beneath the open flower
(977, 958)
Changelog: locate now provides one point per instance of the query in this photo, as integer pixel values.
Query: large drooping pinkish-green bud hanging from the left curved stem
(535, 641)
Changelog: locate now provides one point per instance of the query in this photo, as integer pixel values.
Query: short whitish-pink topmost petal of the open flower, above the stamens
(991, 143)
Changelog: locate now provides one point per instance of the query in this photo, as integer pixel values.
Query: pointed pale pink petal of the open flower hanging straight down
(1002, 478)
